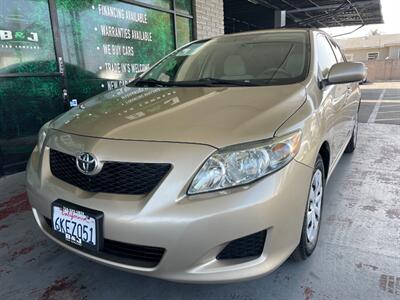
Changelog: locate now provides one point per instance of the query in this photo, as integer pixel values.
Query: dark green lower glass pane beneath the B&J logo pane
(26, 103)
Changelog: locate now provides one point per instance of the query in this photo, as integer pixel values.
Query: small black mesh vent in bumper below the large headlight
(245, 247)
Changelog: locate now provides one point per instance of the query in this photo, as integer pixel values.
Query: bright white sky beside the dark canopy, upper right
(391, 18)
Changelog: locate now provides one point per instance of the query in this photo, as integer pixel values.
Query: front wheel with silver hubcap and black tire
(312, 224)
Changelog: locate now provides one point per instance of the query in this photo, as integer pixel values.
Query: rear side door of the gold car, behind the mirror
(350, 110)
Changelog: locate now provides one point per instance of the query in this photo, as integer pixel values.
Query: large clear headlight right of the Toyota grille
(243, 164)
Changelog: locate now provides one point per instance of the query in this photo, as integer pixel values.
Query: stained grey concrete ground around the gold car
(358, 256)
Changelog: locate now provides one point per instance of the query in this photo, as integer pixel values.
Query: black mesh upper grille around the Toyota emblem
(115, 177)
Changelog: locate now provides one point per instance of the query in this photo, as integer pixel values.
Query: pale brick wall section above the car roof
(210, 18)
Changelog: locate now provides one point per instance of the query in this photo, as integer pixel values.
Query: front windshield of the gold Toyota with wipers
(251, 59)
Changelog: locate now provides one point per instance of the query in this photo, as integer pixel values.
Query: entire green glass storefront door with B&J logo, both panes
(30, 82)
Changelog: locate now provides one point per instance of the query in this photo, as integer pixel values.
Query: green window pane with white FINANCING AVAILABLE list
(105, 44)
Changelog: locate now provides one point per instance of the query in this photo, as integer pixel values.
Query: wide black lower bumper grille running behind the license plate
(137, 255)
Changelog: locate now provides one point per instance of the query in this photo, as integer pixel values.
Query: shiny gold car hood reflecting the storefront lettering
(217, 116)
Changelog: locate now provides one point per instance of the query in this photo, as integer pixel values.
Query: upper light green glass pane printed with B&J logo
(26, 39)
